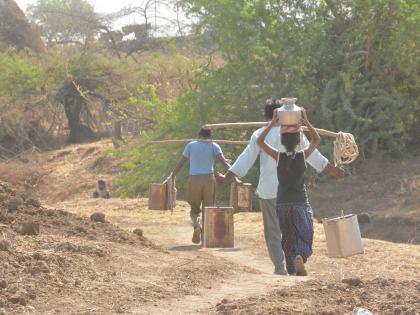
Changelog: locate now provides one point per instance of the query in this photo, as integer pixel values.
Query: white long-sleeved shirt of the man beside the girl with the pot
(268, 182)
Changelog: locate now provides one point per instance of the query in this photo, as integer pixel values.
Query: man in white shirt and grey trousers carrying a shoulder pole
(268, 182)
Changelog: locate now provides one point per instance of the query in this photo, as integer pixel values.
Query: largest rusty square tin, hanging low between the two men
(218, 227)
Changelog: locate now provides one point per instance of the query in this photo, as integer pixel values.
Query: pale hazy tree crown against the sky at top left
(64, 21)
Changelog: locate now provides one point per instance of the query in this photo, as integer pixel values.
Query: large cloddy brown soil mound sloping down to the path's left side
(56, 262)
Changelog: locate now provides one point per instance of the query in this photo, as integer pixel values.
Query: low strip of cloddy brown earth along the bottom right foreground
(379, 296)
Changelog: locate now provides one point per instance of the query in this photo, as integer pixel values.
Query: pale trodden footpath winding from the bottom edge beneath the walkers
(259, 279)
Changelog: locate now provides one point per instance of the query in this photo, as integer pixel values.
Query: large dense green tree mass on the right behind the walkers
(353, 64)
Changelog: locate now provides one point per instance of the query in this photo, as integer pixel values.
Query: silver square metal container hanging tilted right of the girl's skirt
(343, 236)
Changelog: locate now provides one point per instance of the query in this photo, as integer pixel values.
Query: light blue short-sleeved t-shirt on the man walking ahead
(201, 155)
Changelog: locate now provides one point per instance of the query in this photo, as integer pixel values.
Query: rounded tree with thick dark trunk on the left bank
(85, 79)
